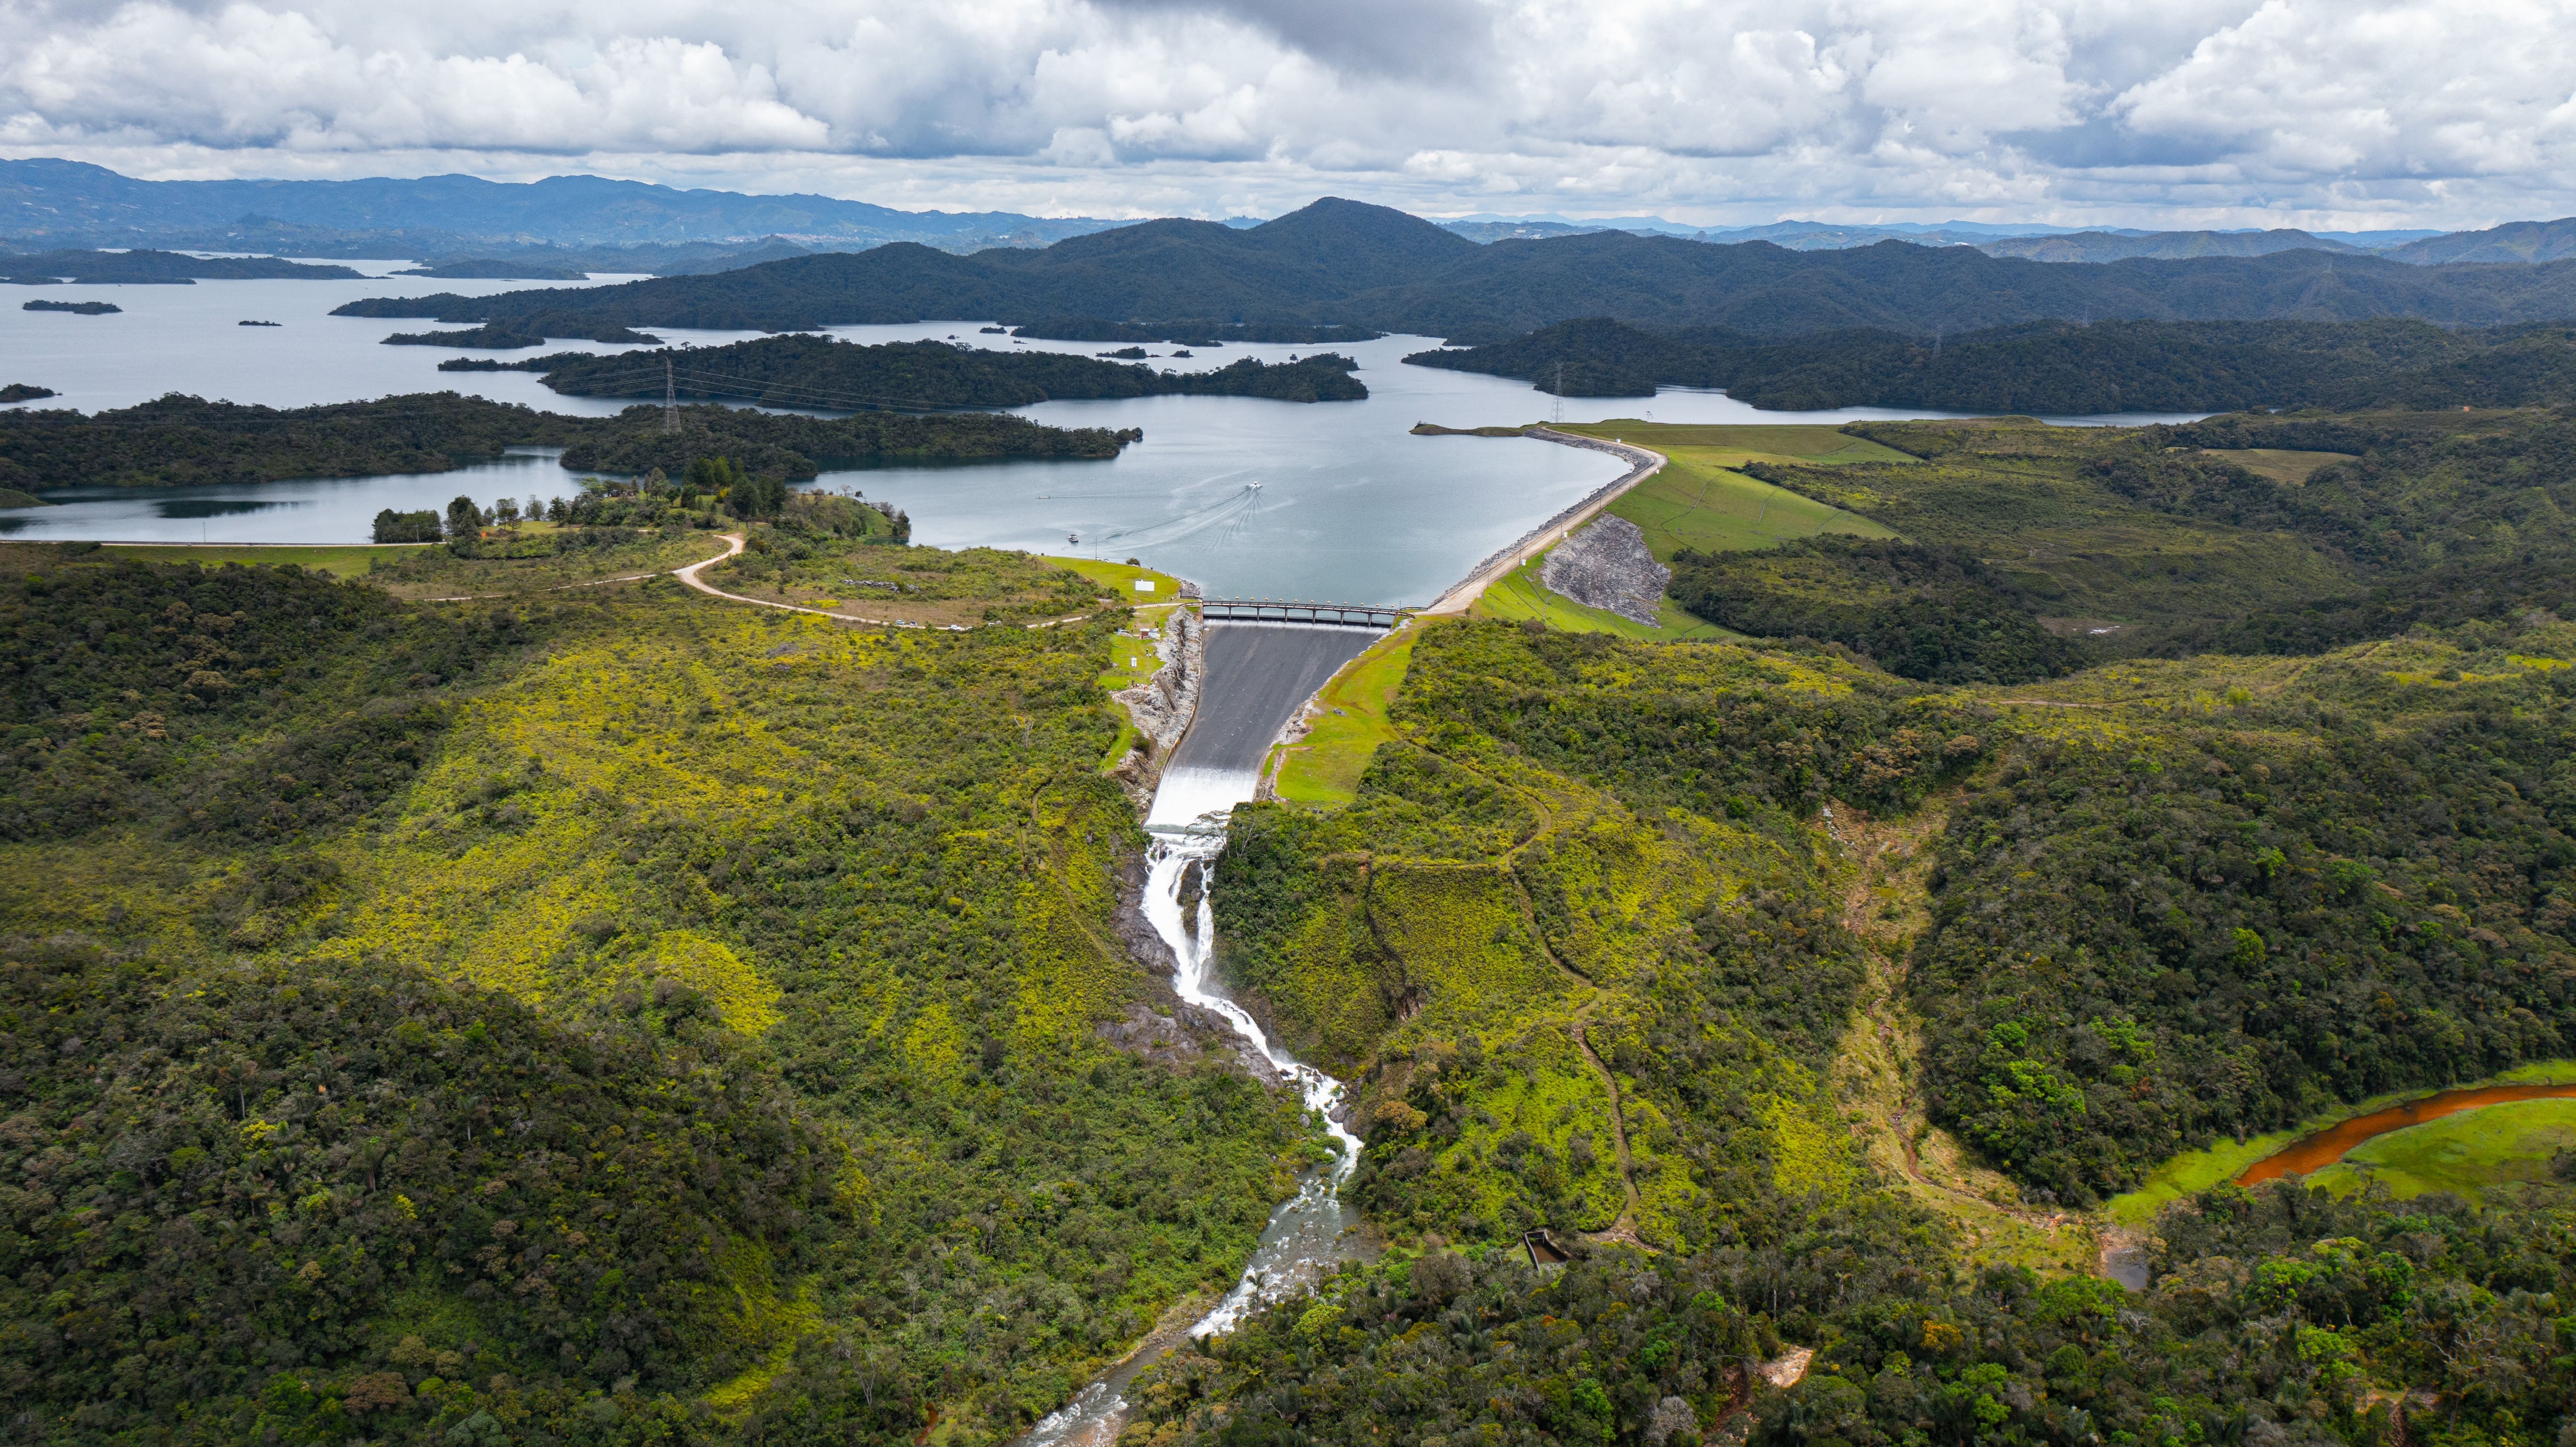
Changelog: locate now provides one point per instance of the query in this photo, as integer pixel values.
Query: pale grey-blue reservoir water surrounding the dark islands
(1331, 501)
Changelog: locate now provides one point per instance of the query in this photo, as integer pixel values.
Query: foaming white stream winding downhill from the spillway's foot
(1310, 1232)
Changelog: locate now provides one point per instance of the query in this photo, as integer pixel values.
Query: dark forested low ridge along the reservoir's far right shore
(2057, 367)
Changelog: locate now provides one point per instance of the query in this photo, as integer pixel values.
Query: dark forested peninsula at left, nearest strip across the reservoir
(192, 442)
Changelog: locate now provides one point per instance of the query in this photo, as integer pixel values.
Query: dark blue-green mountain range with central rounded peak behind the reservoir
(1367, 266)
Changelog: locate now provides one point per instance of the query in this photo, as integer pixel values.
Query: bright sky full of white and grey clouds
(1714, 112)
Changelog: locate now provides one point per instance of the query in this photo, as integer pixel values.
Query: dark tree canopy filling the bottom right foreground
(2284, 1320)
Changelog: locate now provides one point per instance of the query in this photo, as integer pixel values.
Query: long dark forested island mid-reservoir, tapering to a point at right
(823, 372)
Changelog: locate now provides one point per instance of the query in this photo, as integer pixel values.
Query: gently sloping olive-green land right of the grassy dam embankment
(2242, 534)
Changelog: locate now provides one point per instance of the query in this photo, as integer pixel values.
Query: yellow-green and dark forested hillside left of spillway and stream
(601, 1016)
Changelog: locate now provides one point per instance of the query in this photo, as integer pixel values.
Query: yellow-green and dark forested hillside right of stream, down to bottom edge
(2121, 913)
